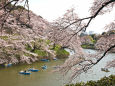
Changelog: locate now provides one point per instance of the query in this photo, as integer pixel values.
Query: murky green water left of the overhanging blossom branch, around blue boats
(11, 77)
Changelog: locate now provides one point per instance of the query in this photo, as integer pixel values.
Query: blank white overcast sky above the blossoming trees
(52, 9)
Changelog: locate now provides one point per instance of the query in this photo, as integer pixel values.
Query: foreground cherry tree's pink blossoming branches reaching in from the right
(80, 61)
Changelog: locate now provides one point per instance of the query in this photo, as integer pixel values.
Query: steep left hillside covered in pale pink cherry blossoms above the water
(24, 42)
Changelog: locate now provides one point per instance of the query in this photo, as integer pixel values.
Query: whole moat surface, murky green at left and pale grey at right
(11, 77)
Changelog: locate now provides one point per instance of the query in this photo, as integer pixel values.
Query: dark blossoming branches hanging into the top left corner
(7, 6)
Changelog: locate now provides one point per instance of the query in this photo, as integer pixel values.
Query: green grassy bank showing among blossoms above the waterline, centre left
(38, 47)
